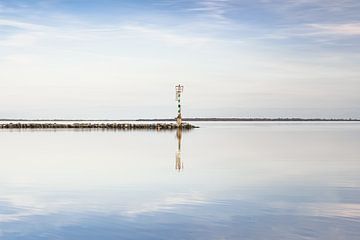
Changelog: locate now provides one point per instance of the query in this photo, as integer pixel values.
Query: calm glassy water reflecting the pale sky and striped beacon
(221, 181)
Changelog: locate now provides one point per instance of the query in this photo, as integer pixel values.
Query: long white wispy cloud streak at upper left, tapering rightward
(29, 33)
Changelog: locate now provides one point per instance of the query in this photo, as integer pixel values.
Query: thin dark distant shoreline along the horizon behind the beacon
(194, 119)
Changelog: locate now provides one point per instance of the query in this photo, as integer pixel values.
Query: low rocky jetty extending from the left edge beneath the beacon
(124, 126)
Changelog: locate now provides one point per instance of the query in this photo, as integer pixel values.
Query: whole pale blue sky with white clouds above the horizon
(110, 59)
